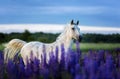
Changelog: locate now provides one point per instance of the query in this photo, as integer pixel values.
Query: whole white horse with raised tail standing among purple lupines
(70, 32)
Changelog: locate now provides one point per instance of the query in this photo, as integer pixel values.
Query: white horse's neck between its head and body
(64, 39)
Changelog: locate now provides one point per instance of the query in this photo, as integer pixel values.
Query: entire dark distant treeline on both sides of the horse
(50, 37)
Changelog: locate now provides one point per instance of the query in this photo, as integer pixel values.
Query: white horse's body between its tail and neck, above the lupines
(36, 49)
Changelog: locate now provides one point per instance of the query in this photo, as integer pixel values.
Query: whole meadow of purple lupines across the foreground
(99, 64)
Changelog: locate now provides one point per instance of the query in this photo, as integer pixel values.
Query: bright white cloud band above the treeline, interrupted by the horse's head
(55, 28)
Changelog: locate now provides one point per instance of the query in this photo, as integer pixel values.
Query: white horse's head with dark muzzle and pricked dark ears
(74, 31)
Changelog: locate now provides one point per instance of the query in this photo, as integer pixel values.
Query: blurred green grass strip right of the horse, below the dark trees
(98, 46)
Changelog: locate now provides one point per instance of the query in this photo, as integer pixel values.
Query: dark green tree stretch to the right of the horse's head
(101, 38)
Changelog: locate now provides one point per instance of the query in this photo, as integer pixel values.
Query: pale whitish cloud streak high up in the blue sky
(71, 9)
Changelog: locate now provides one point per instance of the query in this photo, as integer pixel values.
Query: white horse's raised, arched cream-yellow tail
(12, 49)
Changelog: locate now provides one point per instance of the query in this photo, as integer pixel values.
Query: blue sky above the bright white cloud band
(88, 12)
